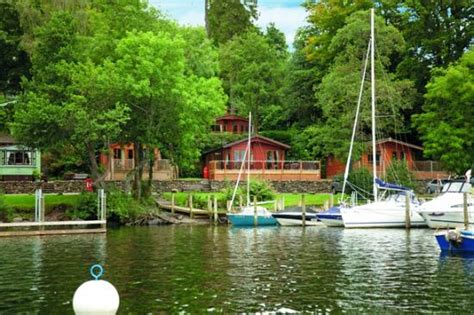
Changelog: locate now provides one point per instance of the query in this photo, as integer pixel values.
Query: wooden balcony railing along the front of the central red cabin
(266, 170)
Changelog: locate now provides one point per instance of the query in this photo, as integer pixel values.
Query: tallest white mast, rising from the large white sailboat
(372, 79)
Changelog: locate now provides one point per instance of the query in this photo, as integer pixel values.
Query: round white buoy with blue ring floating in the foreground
(96, 297)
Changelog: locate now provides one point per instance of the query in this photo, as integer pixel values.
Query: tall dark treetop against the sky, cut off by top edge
(227, 18)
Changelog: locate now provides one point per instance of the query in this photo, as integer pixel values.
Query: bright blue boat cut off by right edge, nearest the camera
(456, 241)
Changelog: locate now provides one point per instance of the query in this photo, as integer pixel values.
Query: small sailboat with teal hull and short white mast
(249, 215)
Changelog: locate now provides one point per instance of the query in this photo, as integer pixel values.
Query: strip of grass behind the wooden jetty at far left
(26, 203)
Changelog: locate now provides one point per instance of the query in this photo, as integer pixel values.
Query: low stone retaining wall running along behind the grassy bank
(26, 187)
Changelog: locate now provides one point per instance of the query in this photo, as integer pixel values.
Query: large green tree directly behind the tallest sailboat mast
(337, 94)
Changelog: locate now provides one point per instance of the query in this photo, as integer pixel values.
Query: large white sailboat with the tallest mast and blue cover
(390, 210)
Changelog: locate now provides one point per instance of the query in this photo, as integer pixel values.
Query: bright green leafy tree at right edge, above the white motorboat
(446, 122)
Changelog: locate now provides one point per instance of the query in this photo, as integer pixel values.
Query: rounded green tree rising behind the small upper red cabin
(253, 76)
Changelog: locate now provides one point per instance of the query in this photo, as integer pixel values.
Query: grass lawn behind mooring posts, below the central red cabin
(200, 199)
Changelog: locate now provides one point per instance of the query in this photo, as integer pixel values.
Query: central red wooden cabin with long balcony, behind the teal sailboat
(267, 162)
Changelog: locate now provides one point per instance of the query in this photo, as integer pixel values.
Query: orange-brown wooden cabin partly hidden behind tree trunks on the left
(120, 161)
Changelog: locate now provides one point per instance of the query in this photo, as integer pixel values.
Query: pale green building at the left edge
(17, 162)
